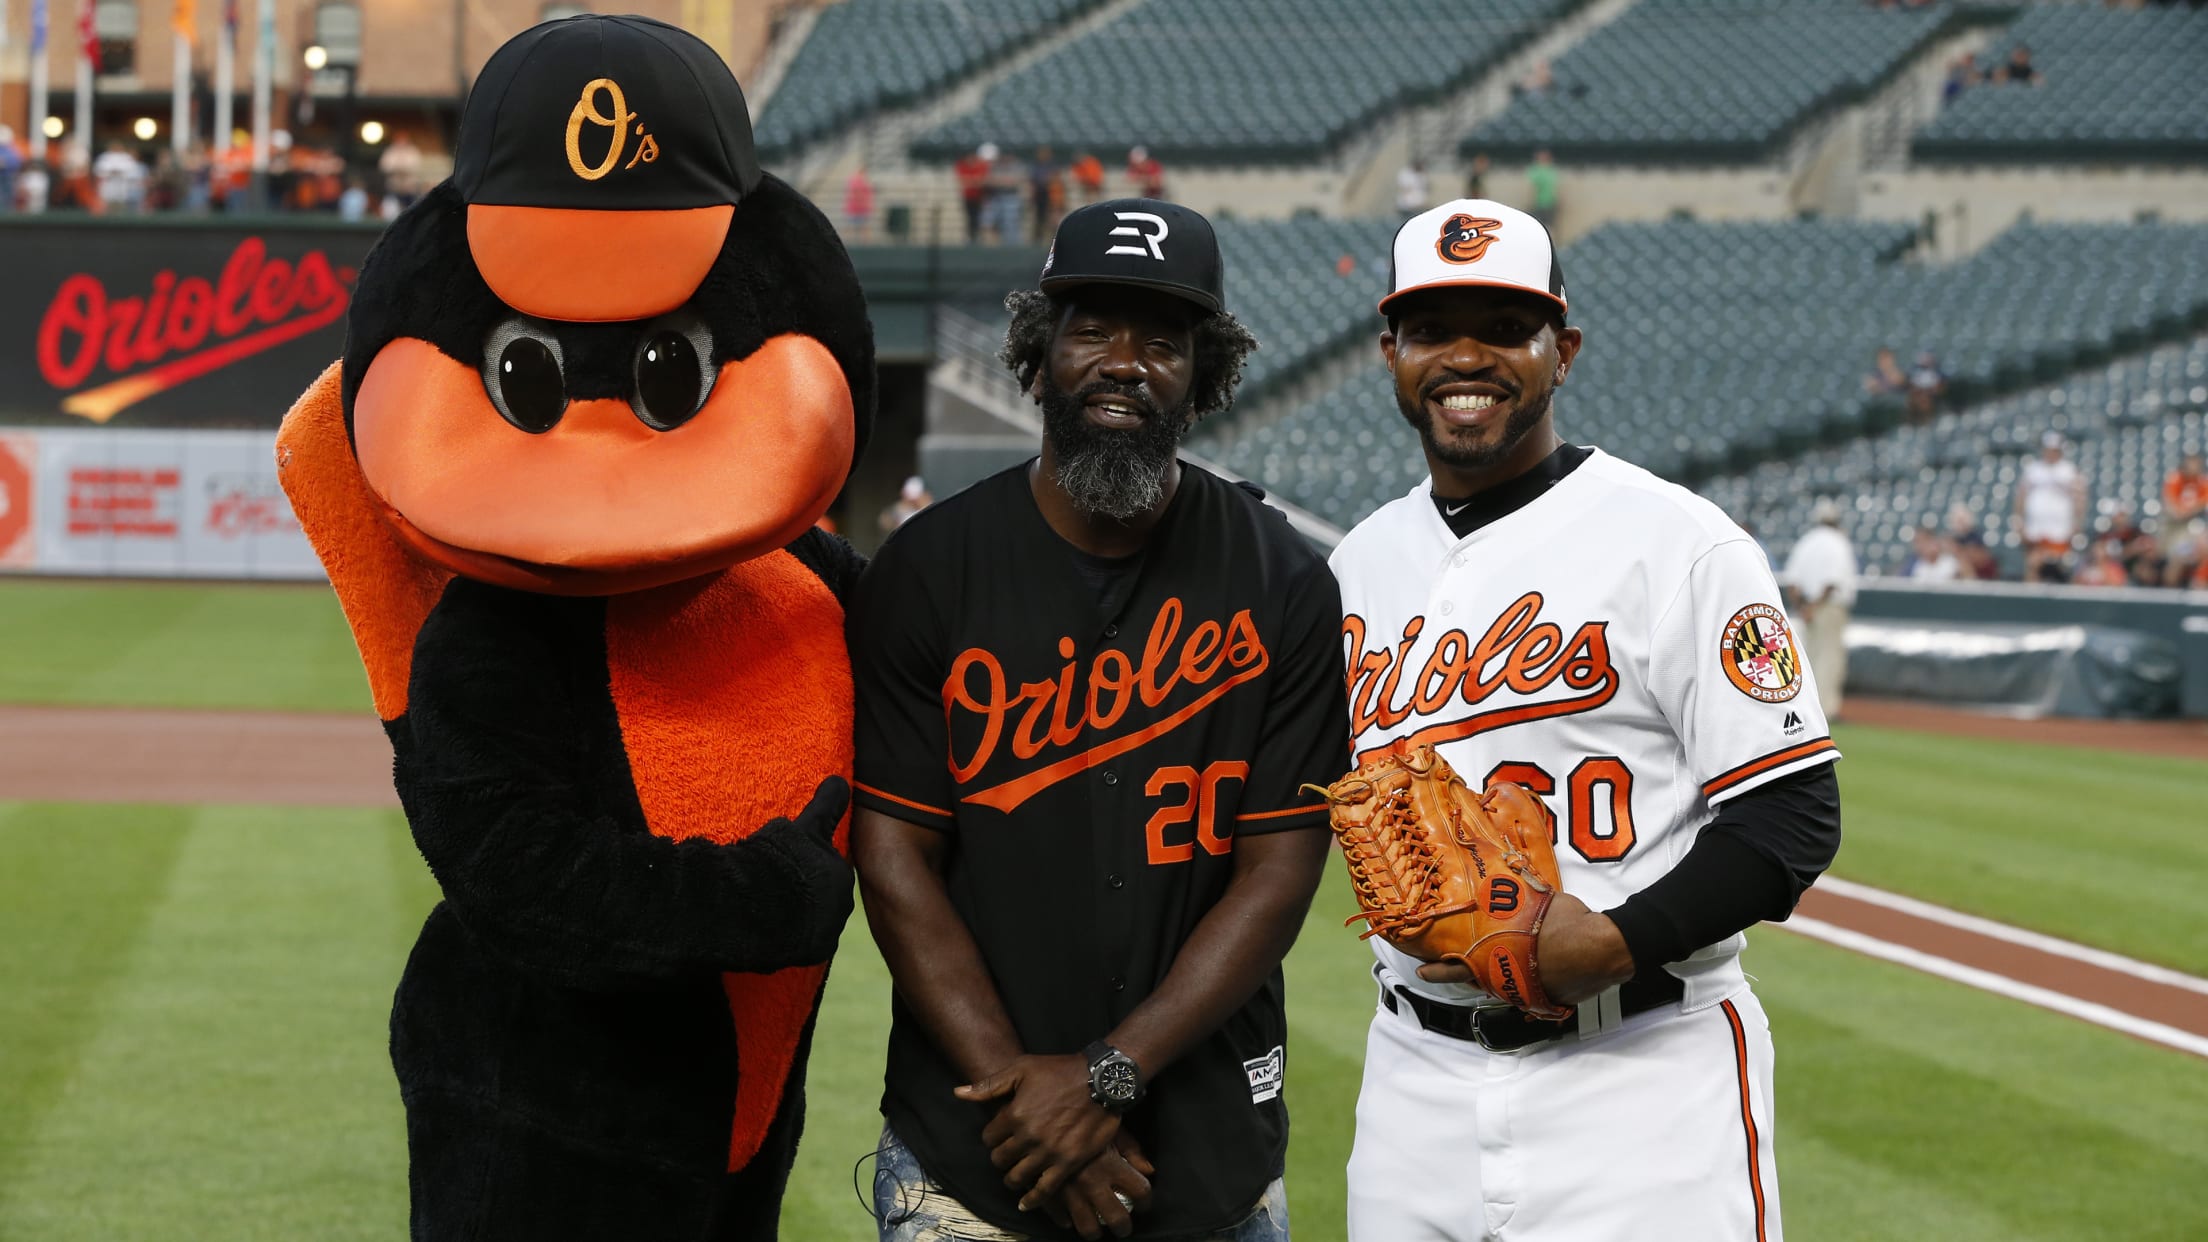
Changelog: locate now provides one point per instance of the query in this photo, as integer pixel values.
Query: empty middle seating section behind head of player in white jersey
(1717, 346)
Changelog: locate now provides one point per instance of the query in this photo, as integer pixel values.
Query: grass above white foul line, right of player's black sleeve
(2099, 848)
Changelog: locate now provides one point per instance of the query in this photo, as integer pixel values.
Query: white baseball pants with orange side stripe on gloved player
(1657, 1130)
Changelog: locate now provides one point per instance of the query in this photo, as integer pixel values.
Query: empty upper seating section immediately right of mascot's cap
(880, 54)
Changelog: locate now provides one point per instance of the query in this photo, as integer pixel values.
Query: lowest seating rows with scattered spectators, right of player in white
(2127, 423)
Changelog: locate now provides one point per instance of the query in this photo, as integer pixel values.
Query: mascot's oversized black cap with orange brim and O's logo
(602, 162)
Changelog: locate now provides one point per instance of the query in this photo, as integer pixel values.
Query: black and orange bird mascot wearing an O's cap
(597, 392)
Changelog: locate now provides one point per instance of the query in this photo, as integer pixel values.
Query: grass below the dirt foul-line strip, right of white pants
(1918, 1108)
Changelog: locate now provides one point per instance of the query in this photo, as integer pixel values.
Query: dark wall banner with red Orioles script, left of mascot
(169, 324)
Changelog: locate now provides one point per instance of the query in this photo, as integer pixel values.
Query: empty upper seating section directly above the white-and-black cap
(1708, 81)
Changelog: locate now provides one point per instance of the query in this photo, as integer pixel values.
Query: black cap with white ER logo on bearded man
(1138, 242)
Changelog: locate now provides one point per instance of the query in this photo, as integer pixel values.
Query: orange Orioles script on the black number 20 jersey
(1045, 717)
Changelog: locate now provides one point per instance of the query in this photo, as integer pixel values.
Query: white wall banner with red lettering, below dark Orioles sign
(149, 505)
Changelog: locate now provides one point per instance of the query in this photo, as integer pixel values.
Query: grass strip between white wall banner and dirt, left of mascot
(180, 646)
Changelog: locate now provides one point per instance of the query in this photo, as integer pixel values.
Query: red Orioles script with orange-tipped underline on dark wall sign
(184, 328)
